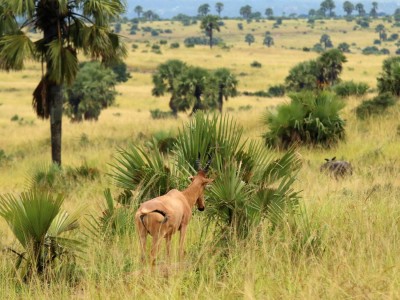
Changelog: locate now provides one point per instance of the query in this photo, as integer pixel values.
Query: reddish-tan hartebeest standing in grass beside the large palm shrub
(162, 216)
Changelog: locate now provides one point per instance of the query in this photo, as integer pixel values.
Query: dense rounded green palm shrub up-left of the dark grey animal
(310, 118)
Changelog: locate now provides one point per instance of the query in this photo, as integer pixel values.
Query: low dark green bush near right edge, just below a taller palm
(376, 106)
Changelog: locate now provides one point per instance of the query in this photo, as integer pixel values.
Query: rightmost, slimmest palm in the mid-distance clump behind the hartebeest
(226, 83)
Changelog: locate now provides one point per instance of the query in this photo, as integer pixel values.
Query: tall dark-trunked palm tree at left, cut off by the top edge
(67, 26)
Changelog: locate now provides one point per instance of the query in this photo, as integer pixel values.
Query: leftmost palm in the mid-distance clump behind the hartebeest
(165, 80)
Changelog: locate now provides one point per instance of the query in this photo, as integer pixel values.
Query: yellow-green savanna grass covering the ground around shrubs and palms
(357, 219)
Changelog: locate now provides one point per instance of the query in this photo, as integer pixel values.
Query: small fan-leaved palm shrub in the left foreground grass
(41, 227)
